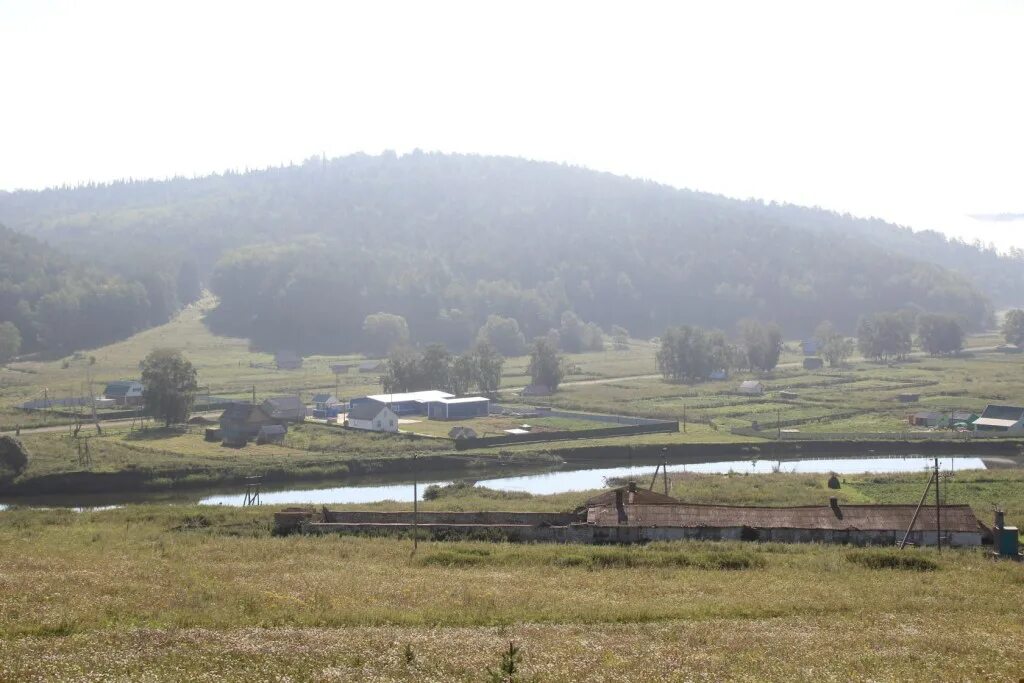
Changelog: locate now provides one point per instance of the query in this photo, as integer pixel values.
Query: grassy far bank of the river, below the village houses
(129, 463)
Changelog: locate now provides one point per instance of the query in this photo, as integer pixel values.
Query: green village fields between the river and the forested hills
(860, 399)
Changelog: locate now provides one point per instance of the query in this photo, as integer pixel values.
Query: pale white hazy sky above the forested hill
(909, 111)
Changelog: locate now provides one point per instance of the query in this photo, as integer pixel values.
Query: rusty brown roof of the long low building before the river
(864, 518)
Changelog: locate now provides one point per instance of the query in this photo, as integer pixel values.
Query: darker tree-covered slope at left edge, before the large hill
(60, 305)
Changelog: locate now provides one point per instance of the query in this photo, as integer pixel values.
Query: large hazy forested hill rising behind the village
(300, 255)
